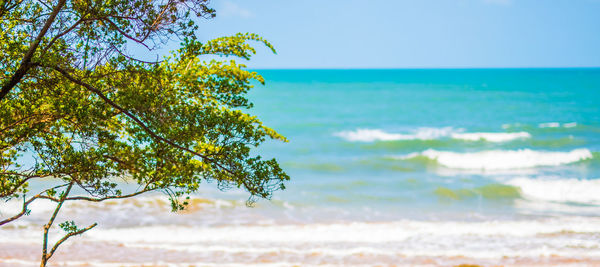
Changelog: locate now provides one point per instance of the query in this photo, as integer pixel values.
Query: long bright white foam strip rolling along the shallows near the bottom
(357, 232)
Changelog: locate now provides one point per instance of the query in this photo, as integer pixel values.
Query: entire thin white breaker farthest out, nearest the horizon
(371, 135)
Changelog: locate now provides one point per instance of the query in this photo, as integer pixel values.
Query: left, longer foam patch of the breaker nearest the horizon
(370, 135)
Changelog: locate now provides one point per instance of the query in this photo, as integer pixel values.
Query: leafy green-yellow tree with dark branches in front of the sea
(84, 110)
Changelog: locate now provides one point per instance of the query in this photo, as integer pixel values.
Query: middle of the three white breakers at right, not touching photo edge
(501, 159)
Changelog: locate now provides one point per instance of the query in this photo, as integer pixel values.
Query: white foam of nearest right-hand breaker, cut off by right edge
(559, 190)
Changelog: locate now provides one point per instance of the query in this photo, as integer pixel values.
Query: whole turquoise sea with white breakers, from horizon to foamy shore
(406, 167)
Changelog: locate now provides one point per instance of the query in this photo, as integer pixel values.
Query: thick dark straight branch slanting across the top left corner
(26, 62)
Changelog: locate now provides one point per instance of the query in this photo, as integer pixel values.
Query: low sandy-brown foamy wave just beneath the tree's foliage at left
(149, 209)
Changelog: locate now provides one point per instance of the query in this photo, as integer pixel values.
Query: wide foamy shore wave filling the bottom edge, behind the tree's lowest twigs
(347, 244)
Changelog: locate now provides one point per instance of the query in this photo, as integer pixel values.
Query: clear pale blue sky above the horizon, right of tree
(416, 33)
